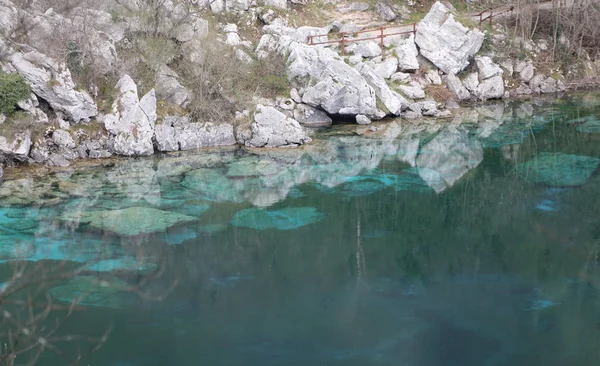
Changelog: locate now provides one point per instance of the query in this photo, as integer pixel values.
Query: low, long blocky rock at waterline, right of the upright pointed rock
(178, 133)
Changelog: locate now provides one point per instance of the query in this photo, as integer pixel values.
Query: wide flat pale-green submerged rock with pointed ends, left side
(131, 221)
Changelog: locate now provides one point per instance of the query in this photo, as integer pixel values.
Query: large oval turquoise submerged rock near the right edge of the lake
(558, 169)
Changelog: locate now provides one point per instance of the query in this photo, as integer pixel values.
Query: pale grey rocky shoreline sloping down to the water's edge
(425, 75)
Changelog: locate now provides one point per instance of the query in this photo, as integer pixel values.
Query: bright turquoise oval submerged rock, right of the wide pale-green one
(284, 219)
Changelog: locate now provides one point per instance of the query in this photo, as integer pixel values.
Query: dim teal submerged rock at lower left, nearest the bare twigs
(91, 291)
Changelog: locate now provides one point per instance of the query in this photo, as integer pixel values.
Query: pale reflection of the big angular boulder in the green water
(448, 157)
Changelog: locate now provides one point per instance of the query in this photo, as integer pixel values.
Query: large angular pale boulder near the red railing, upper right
(446, 42)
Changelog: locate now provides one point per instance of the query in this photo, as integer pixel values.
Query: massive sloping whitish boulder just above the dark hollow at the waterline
(330, 83)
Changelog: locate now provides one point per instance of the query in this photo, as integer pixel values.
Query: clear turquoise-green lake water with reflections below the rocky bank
(417, 244)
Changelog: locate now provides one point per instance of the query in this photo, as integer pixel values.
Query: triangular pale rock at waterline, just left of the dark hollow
(272, 128)
